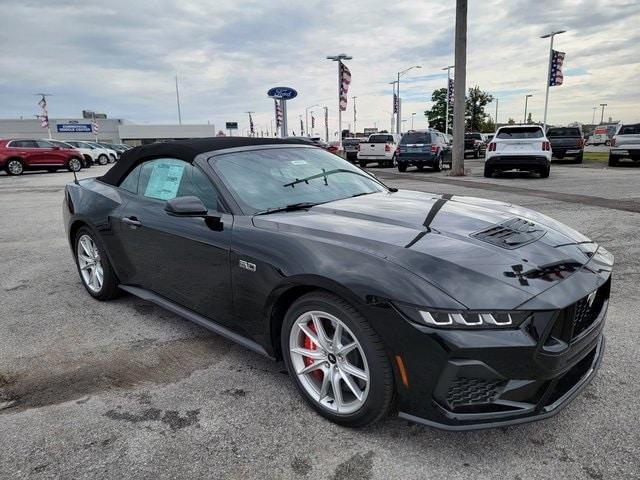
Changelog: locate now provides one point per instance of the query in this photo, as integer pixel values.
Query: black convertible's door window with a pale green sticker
(167, 178)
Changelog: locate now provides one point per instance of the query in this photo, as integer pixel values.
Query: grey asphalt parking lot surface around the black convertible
(124, 389)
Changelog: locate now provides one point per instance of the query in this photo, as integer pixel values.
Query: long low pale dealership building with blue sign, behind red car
(110, 130)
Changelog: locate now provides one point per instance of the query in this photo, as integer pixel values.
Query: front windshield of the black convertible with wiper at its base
(270, 179)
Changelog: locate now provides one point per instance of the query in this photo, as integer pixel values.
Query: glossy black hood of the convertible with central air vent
(447, 240)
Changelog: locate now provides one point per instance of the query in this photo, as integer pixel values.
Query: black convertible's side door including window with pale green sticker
(182, 259)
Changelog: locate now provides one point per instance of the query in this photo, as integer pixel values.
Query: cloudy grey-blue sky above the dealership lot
(120, 57)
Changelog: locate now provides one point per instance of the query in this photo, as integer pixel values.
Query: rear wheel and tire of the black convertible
(109, 287)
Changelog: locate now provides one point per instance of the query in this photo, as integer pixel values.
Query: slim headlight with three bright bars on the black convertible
(466, 319)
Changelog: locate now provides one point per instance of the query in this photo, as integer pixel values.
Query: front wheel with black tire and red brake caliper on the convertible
(369, 372)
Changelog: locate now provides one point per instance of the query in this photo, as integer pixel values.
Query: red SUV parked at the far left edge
(18, 155)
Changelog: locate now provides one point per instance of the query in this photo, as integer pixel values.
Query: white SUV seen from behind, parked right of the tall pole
(521, 147)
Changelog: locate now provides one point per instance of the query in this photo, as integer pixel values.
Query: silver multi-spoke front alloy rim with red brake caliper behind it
(329, 362)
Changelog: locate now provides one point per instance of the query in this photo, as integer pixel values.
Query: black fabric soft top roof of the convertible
(186, 150)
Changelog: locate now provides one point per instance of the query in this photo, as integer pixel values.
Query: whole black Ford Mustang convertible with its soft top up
(453, 311)
